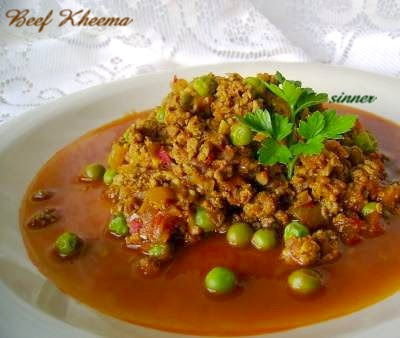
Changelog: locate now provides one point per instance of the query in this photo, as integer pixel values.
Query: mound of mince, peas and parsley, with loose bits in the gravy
(259, 159)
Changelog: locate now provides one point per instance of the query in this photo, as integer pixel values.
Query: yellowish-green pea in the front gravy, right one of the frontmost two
(305, 281)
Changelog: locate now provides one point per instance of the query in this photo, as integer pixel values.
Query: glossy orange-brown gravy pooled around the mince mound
(104, 276)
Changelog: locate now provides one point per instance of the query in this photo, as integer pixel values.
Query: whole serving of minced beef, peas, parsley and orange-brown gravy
(238, 206)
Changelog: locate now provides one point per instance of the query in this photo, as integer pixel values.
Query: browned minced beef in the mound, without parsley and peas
(188, 153)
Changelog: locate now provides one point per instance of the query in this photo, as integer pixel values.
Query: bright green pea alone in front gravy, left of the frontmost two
(220, 280)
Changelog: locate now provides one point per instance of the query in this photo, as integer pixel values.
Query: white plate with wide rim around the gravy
(31, 306)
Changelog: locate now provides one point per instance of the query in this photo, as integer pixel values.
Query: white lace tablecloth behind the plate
(38, 67)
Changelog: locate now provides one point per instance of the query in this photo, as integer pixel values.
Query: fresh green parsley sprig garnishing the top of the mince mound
(287, 140)
